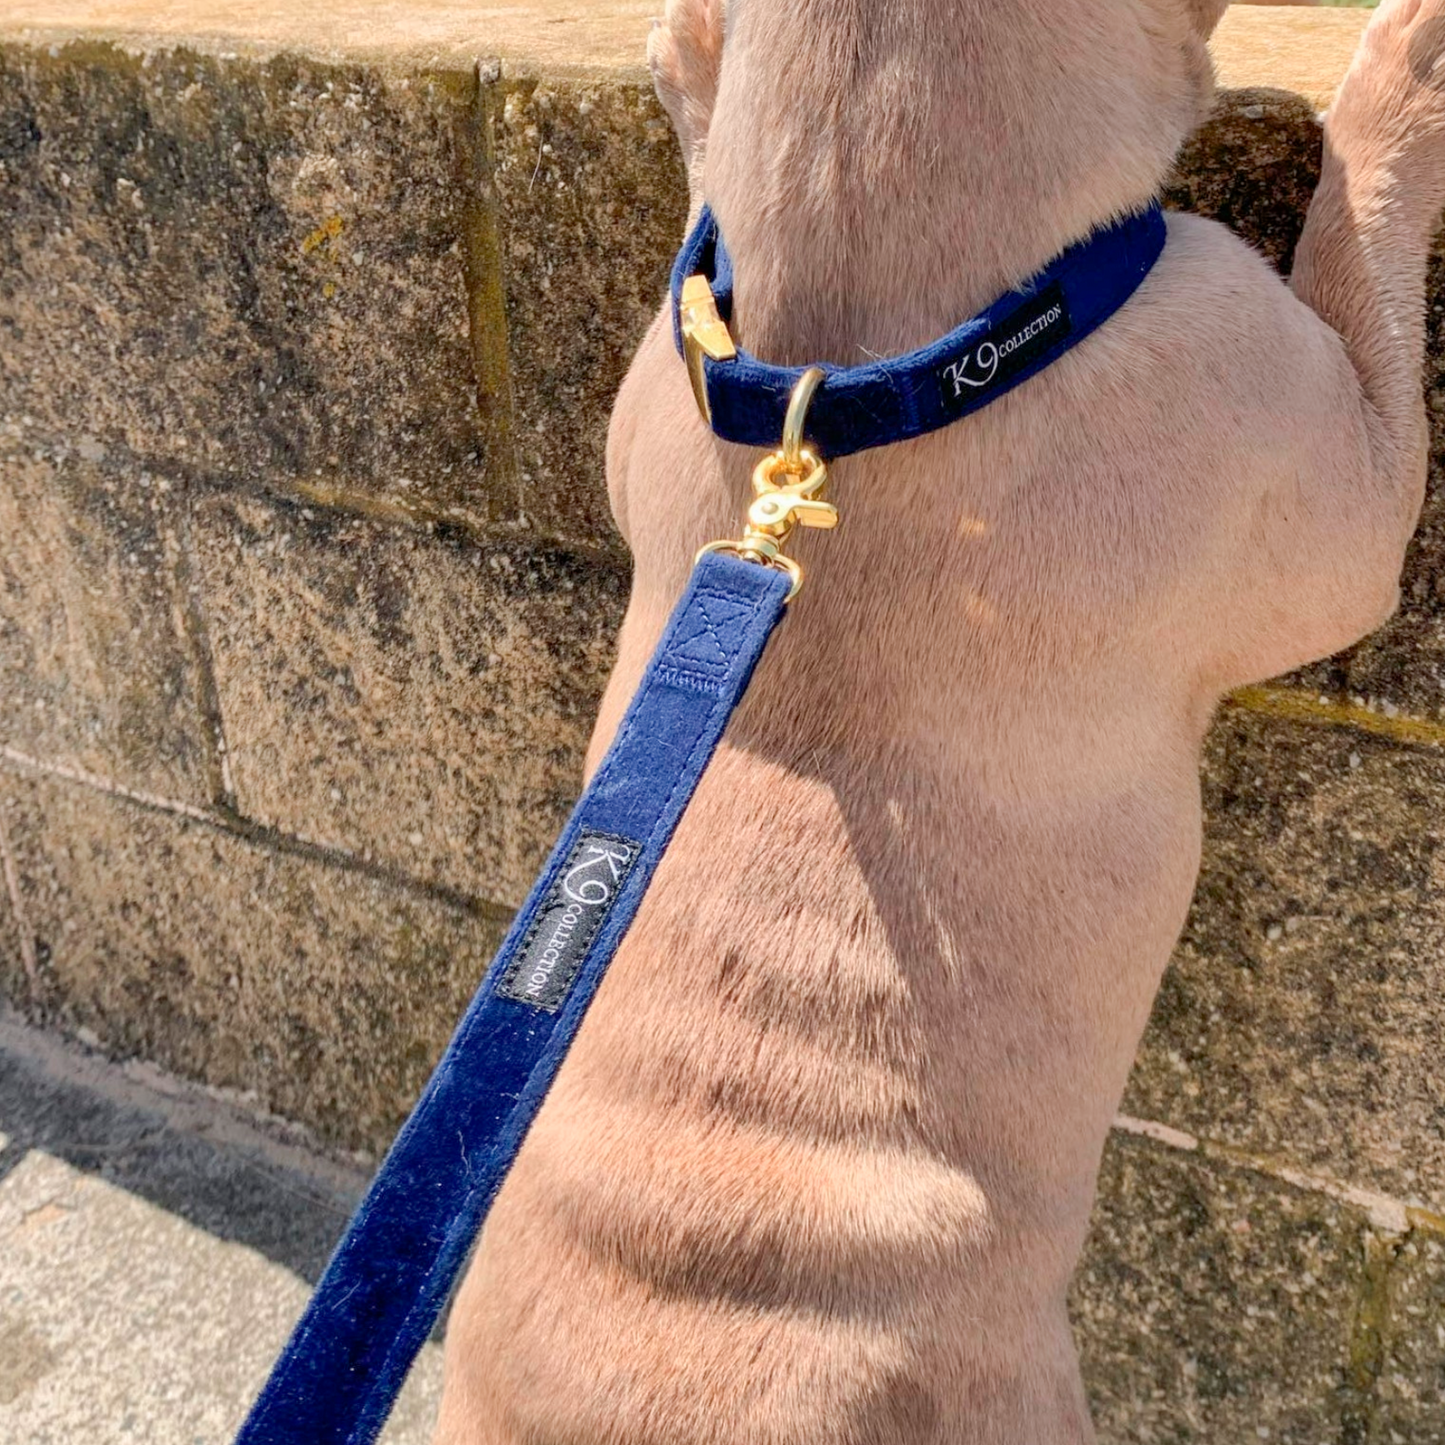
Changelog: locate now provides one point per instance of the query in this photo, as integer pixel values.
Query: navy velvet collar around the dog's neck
(895, 400)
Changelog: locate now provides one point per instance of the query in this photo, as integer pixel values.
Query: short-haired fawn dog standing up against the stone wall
(821, 1163)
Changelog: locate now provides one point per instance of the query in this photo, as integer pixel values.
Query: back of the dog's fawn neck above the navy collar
(882, 173)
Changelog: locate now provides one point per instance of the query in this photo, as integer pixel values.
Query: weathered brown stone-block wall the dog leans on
(309, 333)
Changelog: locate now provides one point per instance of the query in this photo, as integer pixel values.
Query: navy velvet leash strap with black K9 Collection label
(379, 1298)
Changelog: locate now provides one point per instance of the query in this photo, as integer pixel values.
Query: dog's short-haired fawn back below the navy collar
(821, 1160)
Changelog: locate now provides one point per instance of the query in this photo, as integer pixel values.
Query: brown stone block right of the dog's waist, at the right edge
(1304, 1012)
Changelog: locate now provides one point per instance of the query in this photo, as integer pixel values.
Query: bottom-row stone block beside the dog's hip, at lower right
(1216, 1306)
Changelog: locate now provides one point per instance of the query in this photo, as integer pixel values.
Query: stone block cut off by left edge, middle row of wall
(99, 668)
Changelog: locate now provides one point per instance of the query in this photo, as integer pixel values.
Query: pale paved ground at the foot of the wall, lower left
(155, 1249)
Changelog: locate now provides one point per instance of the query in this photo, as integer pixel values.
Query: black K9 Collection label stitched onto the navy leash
(570, 918)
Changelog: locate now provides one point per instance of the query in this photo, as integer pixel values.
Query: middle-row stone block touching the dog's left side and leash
(405, 694)
